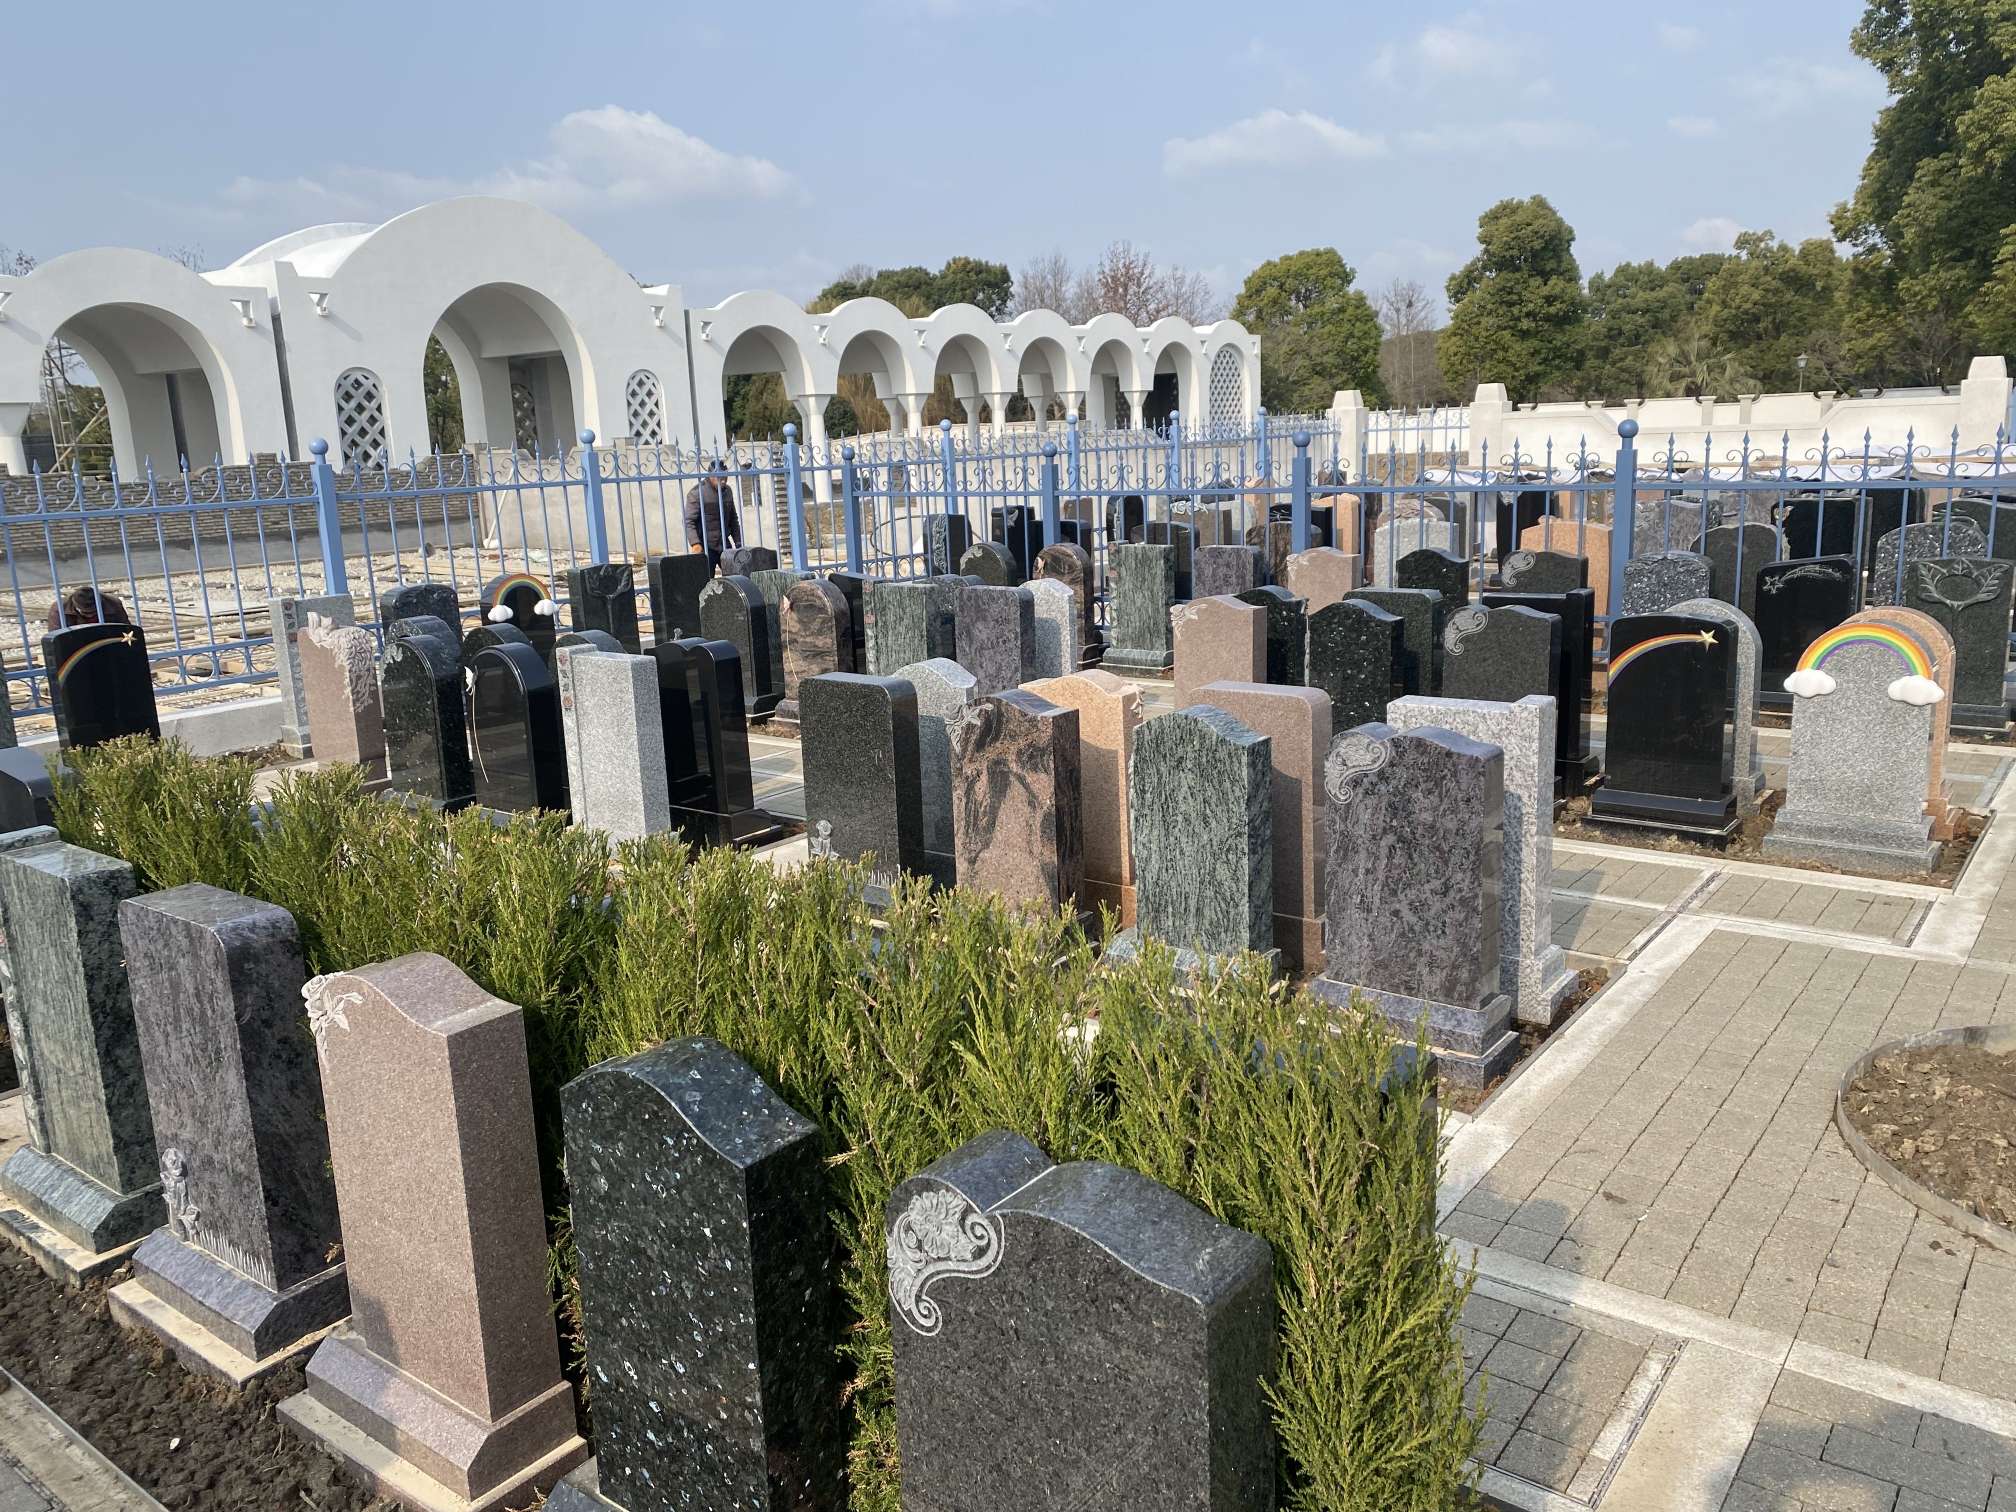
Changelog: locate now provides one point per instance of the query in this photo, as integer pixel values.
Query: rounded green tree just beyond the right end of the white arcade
(1317, 332)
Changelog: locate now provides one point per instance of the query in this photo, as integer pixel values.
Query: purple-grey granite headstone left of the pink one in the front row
(237, 1118)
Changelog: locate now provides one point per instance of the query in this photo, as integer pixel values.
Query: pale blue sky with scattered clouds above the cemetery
(767, 148)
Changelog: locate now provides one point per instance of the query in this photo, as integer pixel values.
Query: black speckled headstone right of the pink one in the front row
(709, 1289)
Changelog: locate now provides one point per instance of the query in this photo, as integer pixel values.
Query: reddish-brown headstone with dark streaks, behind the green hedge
(1017, 801)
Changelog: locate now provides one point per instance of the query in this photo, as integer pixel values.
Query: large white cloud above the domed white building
(608, 156)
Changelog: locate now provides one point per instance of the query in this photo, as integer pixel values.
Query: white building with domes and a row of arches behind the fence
(324, 334)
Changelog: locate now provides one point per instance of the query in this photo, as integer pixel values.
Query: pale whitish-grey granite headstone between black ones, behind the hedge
(622, 761)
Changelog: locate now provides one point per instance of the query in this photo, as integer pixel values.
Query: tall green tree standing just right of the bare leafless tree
(1517, 307)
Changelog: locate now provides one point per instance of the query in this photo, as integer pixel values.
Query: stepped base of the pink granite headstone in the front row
(400, 1436)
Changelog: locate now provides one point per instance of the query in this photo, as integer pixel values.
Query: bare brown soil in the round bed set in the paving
(1946, 1118)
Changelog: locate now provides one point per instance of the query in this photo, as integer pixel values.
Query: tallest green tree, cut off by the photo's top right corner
(1934, 217)
